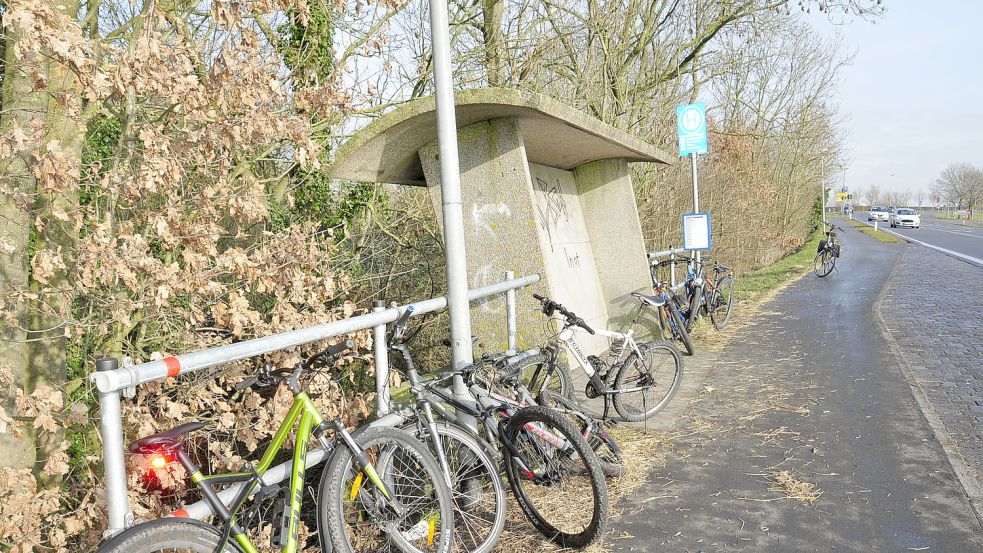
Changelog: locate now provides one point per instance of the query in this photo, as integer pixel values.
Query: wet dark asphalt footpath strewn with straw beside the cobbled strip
(810, 393)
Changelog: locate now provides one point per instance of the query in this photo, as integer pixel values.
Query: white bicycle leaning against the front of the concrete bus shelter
(638, 379)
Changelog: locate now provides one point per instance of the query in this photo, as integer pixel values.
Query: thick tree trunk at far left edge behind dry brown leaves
(35, 346)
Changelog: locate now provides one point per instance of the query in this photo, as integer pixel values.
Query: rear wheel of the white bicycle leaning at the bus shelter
(633, 363)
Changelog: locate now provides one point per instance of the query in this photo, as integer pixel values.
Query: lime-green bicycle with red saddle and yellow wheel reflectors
(382, 491)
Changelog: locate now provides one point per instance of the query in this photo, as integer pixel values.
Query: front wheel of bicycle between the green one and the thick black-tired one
(477, 488)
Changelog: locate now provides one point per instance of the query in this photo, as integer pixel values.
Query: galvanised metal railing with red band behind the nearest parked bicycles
(112, 380)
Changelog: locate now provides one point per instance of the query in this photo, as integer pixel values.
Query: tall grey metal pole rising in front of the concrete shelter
(450, 195)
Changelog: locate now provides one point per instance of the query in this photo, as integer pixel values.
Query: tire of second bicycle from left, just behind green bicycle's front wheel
(473, 540)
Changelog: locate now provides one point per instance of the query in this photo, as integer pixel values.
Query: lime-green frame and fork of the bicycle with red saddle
(311, 423)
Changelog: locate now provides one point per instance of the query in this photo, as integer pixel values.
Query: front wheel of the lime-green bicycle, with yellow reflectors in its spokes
(334, 490)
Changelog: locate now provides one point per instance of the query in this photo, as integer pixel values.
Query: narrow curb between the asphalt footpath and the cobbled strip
(964, 473)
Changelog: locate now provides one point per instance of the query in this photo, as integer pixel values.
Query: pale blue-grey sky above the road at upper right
(913, 97)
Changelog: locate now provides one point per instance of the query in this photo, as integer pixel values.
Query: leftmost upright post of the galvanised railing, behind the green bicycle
(111, 427)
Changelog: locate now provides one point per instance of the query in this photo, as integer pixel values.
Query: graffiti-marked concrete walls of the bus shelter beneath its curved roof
(578, 229)
